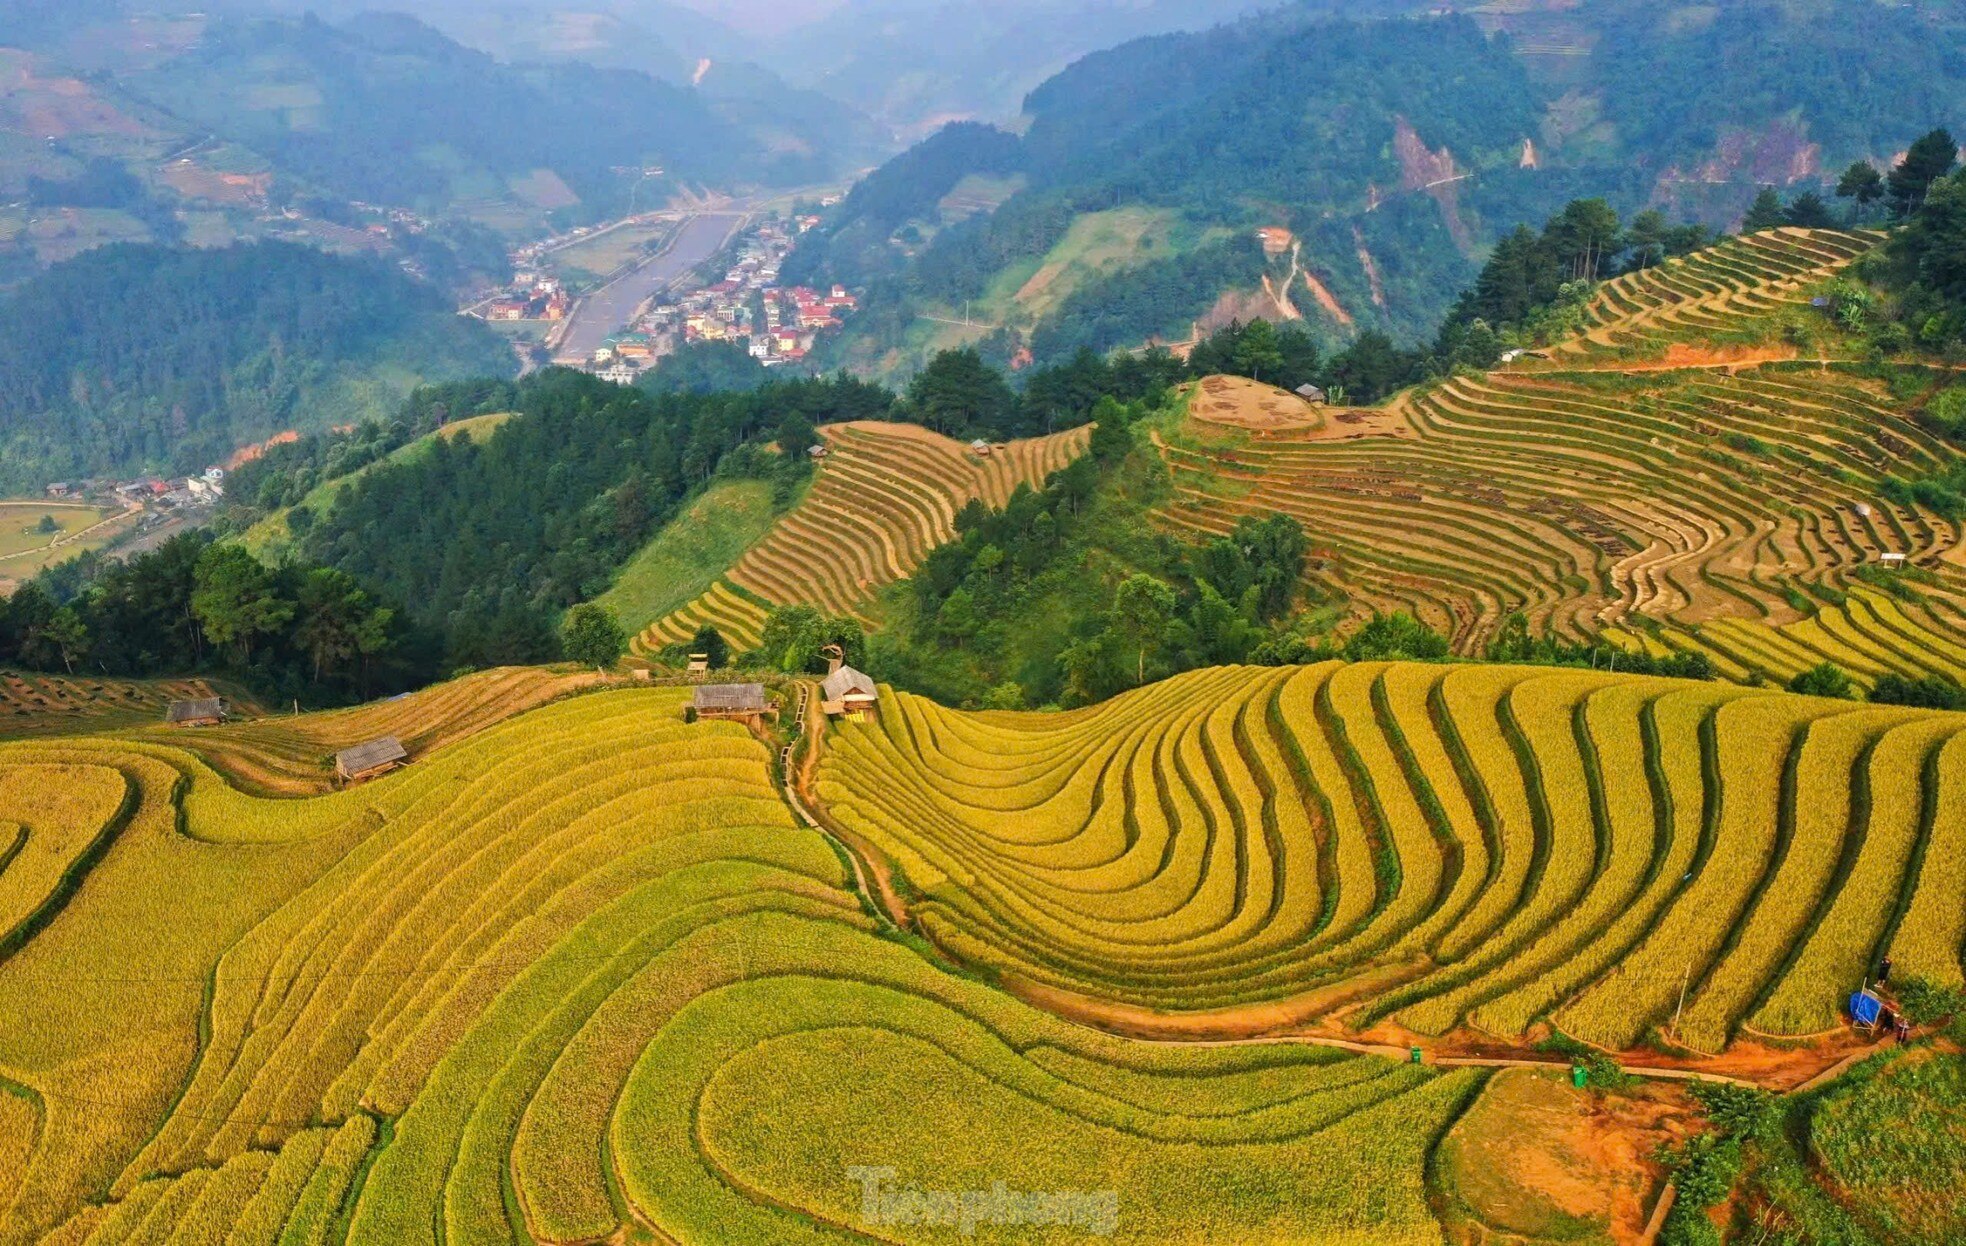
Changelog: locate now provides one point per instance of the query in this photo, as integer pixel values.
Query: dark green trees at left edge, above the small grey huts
(192, 606)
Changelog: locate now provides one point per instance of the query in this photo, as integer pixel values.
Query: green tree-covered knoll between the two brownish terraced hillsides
(1069, 595)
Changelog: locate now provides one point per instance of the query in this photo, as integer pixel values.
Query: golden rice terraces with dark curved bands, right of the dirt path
(1428, 848)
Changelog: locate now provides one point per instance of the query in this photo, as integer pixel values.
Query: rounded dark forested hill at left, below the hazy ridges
(152, 359)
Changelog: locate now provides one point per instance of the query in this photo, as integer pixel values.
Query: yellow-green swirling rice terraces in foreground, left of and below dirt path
(583, 978)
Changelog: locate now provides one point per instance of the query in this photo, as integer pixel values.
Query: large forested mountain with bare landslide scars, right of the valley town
(1387, 156)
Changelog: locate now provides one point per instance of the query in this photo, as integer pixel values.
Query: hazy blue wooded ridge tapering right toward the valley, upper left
(327, 103)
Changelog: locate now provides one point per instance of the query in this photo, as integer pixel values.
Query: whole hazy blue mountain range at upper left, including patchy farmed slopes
(388, 109)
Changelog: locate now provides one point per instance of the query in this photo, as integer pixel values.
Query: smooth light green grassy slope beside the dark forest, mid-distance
(691, 553)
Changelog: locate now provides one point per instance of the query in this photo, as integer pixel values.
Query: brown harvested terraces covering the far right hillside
(1607, 494)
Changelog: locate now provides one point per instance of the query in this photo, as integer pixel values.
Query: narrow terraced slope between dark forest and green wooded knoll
(886, 496)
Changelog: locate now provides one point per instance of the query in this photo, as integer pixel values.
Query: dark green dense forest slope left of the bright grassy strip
(489, 543)
